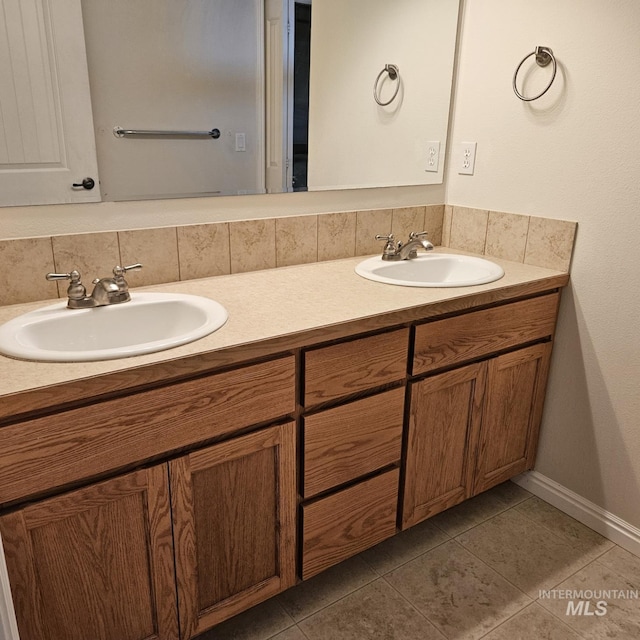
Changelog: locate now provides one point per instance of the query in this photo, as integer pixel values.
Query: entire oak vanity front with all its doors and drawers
(229, 485)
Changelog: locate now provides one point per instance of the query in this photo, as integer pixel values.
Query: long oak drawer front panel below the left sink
(48, 452)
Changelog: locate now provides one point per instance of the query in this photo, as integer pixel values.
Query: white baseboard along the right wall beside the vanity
(605, 523)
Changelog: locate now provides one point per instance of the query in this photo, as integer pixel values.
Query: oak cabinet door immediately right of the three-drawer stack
(443, 426)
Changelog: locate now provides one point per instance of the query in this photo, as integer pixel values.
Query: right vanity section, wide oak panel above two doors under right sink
(475, 426)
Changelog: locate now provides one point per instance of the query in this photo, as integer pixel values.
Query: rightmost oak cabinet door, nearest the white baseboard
(516, 384)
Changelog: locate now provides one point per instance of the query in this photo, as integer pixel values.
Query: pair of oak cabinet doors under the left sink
(99, 562)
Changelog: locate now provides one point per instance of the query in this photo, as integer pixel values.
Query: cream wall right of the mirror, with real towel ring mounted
(573, 154)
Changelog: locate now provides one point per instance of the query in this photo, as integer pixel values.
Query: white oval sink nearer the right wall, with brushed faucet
(431, 270)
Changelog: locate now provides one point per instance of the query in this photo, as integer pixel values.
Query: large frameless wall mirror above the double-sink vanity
(243, 96)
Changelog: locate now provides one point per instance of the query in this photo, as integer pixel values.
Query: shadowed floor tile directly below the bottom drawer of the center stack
(324, 589)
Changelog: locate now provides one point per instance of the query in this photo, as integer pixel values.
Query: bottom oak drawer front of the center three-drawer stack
(348, 522)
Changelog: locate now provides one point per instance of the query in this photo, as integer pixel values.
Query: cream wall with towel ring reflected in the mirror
(350, 44)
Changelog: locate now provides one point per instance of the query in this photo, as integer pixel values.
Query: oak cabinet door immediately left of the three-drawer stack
(234, 508)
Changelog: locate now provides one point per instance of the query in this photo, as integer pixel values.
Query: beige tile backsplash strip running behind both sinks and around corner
(170, 254)
